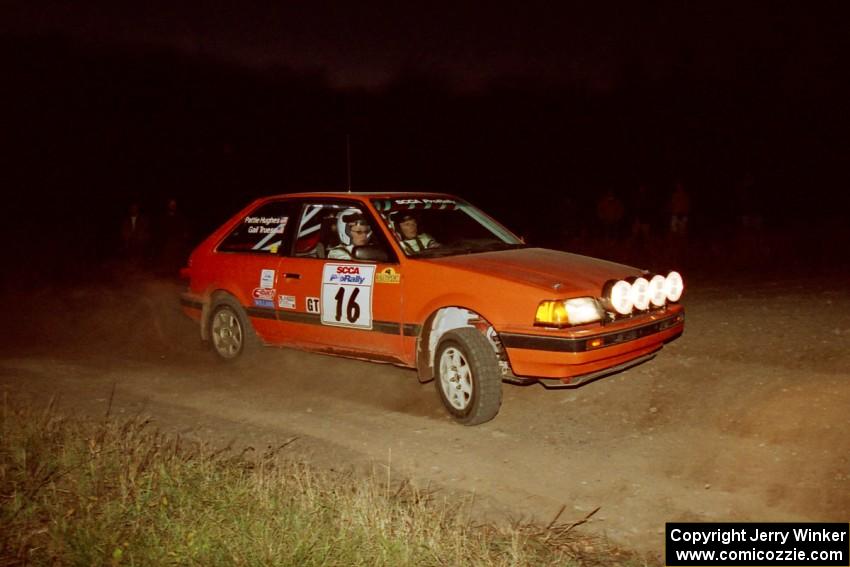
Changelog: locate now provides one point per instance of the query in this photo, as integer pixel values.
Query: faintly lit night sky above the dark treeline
(469, 44)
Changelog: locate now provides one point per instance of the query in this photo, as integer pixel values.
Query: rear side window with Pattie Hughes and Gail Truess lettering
(261, 231)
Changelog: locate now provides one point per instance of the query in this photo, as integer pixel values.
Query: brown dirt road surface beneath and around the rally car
(745, 418)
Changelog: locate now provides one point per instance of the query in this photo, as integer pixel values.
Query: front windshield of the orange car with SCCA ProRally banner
(432, 227)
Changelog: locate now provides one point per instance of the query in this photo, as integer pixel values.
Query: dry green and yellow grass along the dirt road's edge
(101, 492)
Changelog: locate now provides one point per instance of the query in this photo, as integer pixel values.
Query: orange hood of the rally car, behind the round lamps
(559, 271)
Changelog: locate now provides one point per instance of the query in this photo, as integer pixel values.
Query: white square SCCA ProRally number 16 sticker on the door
(347, 295)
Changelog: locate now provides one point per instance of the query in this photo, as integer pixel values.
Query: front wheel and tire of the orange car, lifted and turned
(469, 380)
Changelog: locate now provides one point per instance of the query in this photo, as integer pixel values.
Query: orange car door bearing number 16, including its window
(338, 305)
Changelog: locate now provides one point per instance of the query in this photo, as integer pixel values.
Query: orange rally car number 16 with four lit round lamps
(426, 281)
